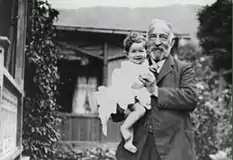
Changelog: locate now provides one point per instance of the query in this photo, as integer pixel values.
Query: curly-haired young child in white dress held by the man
(127, 89)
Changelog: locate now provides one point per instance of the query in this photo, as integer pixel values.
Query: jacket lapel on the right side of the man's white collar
(166, 69)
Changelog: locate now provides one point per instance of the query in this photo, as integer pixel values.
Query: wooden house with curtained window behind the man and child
(89, 55)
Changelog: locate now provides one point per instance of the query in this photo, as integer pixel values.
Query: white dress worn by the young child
(125, 87)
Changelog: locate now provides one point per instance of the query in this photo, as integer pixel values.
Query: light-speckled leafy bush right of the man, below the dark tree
(213, 116)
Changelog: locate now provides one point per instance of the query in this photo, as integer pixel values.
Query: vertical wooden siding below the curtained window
(81, 128)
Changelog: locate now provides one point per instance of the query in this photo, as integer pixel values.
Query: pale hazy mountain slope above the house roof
(182, 17)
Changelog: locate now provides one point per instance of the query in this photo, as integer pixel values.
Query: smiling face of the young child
(137, 53)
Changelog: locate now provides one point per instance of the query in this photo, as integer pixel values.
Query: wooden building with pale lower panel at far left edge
(12, 40)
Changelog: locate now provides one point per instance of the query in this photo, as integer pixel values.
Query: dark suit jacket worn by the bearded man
(169, 118)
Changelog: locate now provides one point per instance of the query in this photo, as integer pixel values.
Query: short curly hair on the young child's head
(133, 37)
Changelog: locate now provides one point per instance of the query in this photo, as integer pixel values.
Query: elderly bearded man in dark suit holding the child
(165, 131)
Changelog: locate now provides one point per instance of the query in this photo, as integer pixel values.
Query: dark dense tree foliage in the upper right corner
(215, 34)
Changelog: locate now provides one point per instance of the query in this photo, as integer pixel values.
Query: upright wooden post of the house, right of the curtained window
(105, 66)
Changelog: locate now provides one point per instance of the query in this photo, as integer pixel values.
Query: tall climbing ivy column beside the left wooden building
(41, 78)
